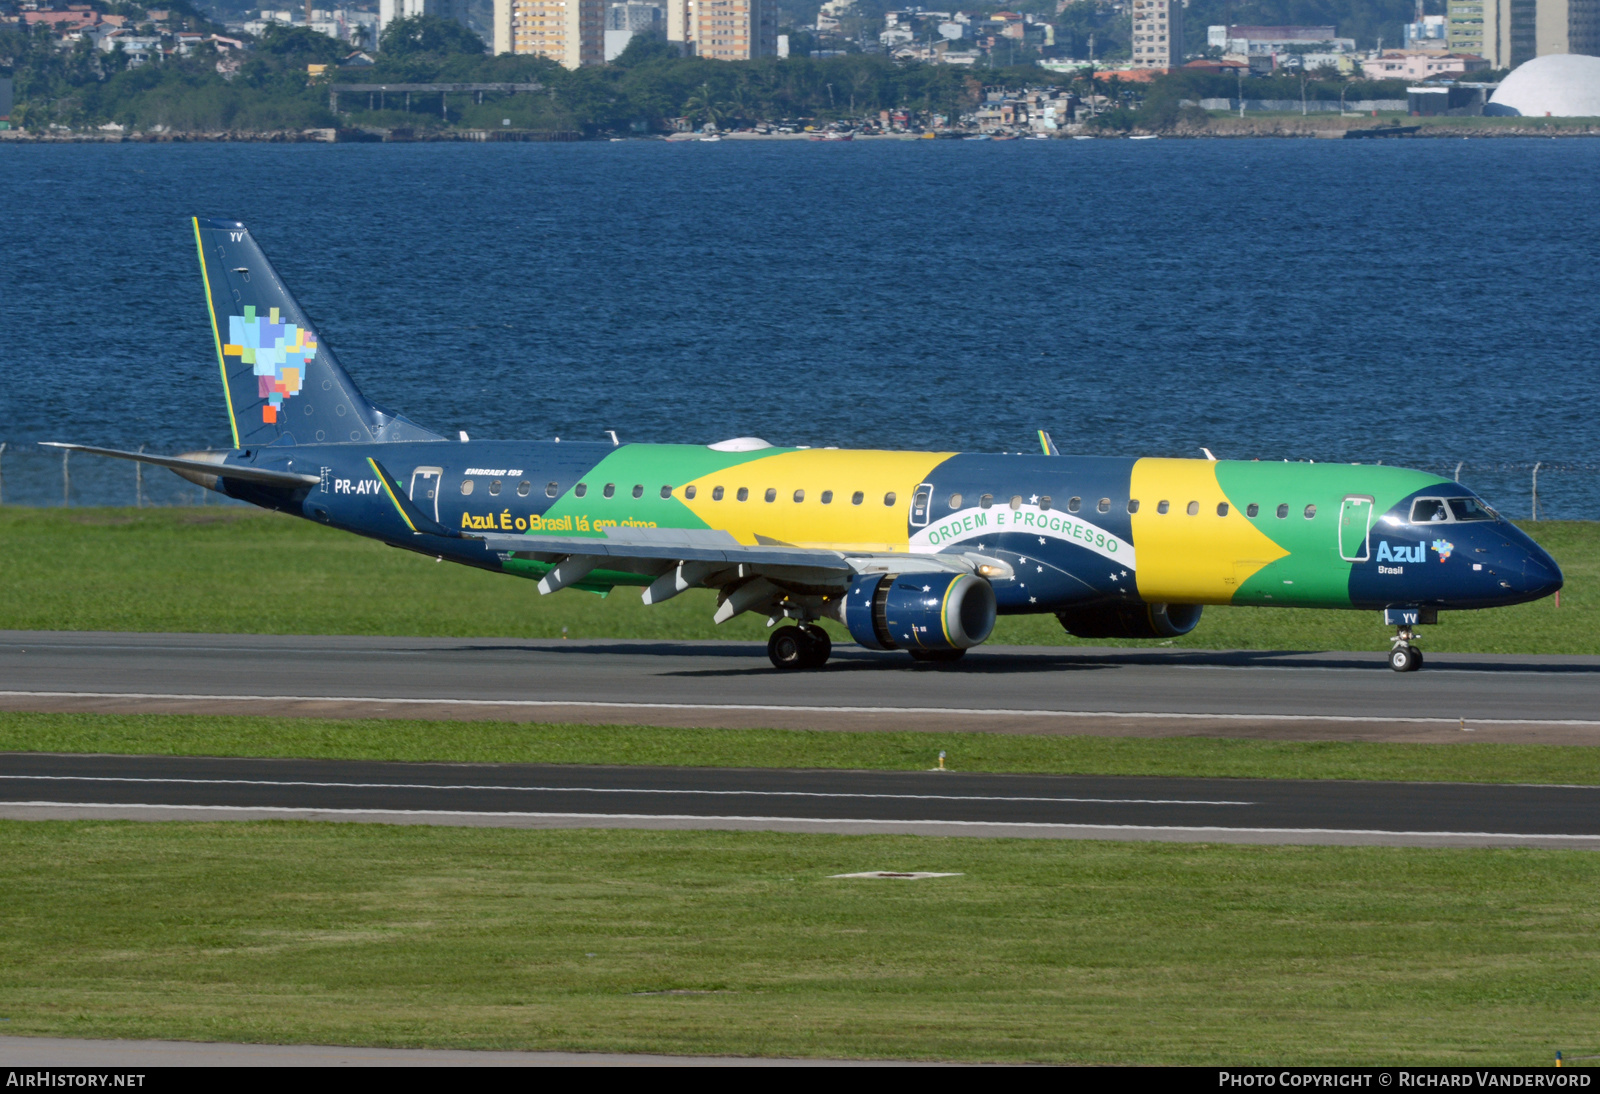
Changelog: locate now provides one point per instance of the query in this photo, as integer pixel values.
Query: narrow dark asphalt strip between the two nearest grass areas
(39, 786)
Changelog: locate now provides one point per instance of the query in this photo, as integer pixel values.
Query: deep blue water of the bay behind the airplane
(1415, 303)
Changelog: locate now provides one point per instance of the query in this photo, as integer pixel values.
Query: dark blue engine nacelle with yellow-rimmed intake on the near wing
(921, 612)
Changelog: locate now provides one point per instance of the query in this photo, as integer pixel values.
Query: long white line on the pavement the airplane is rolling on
(799, 709)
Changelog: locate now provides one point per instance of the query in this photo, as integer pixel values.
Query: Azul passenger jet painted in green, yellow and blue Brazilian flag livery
(908, 551)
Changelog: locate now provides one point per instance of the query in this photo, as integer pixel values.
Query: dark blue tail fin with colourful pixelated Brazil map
(282, 381)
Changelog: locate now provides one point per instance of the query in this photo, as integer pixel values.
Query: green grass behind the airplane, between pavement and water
(228, 572)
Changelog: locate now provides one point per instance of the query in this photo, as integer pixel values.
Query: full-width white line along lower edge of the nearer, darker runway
(825, 821)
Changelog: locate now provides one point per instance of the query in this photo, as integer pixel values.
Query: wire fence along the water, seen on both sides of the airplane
(42, 477)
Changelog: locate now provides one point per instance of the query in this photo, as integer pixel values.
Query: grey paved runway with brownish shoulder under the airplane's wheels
(1009, 690)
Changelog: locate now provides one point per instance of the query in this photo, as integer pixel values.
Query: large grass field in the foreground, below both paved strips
(742, 943)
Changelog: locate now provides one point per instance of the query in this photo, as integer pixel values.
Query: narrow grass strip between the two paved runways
(524, 743)
